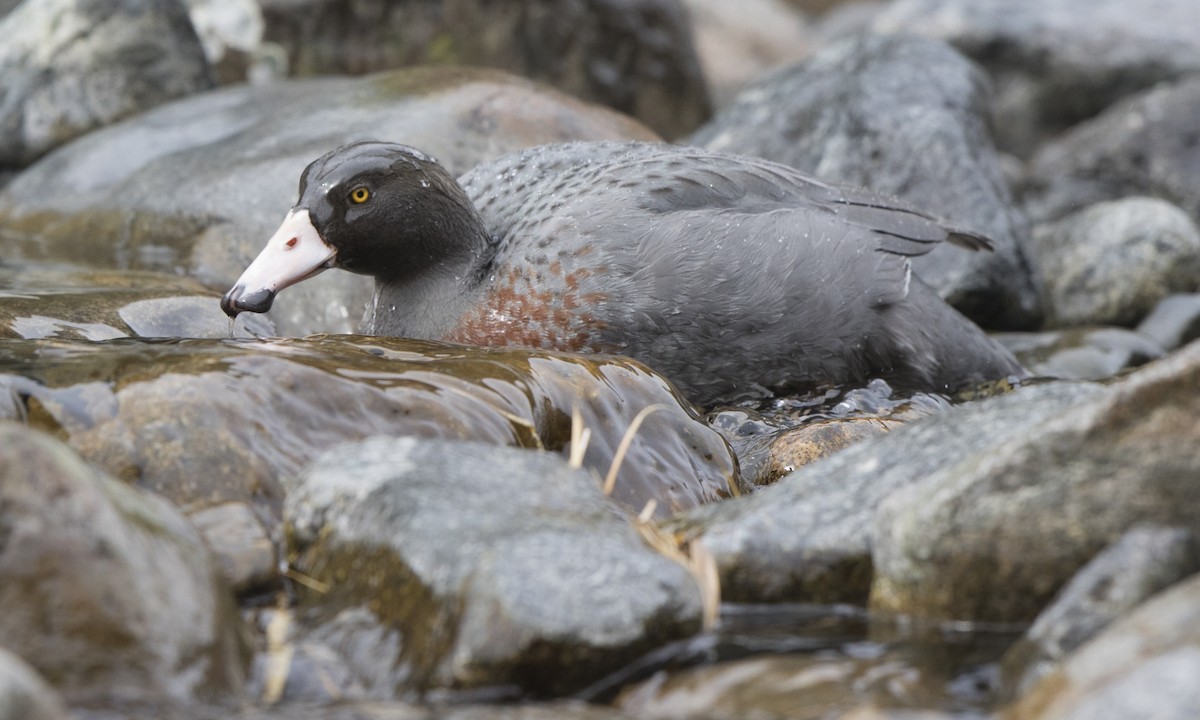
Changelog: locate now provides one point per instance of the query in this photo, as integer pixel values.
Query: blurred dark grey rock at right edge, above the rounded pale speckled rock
(1144, 146)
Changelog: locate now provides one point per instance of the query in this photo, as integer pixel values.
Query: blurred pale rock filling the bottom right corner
(1142, 667)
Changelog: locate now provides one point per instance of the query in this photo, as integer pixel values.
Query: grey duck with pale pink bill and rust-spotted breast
(733, 277)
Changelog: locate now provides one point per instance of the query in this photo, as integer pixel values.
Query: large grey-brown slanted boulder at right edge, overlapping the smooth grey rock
(997, 539)
